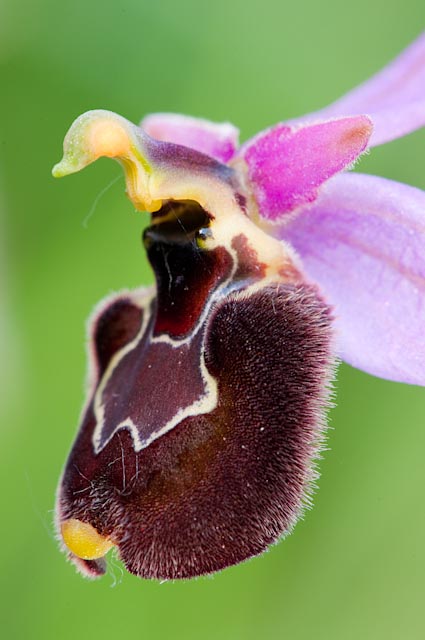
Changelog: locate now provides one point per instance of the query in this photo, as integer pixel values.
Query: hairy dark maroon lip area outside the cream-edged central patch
(221, 486)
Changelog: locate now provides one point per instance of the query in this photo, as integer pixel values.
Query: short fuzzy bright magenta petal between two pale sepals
(286, 166)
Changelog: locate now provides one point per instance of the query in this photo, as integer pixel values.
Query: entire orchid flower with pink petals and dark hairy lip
(208, 392)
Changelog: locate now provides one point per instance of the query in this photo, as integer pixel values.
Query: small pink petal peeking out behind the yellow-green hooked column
(219, 141)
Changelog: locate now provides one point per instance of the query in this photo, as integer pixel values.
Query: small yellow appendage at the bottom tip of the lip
(83, 540)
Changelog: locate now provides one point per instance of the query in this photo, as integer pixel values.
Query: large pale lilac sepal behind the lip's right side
(363, 242)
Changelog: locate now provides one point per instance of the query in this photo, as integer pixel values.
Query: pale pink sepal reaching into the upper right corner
(394, 98)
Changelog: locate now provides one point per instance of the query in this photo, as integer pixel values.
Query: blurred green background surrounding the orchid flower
(355, 566)
